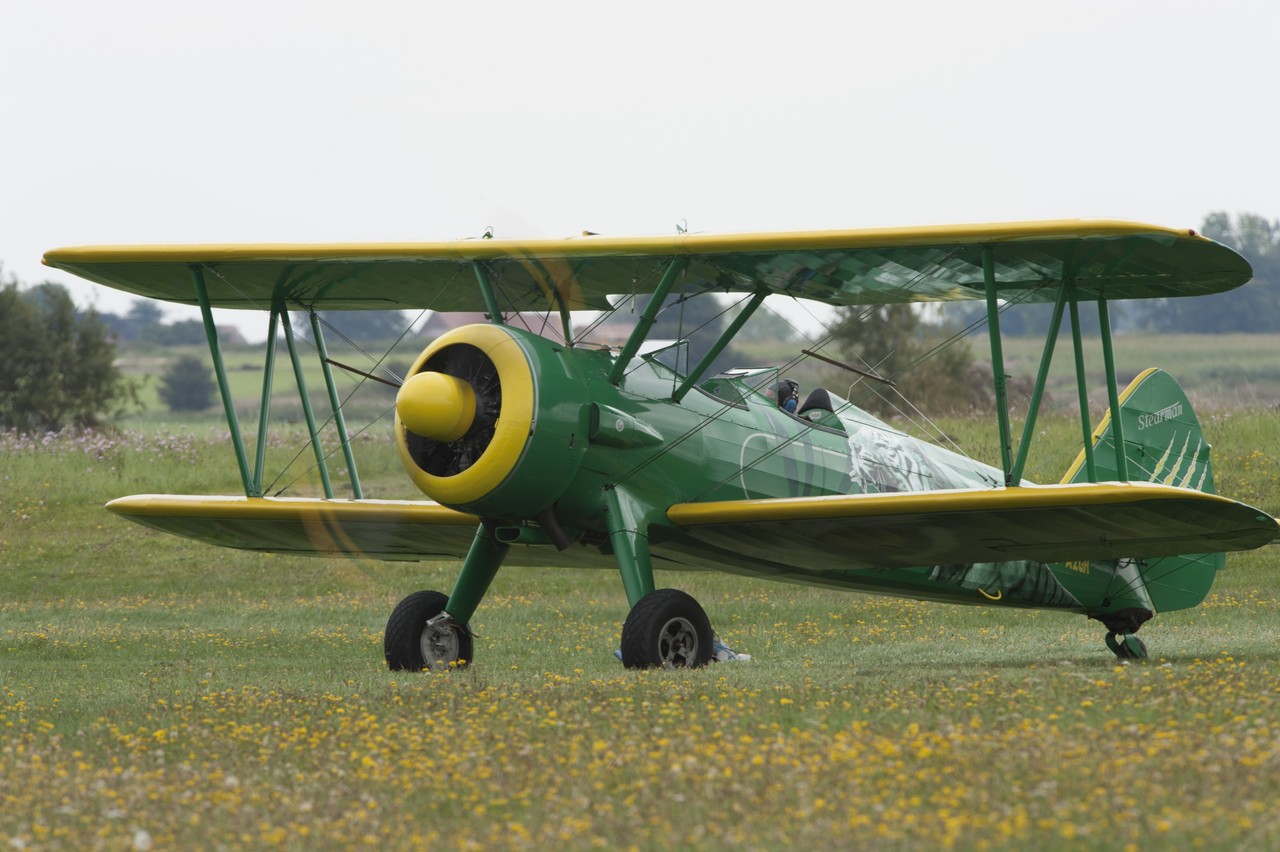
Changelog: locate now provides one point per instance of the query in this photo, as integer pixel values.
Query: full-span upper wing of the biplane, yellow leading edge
(1109, 260)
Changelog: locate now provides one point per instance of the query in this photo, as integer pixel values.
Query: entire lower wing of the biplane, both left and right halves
(1045, 524)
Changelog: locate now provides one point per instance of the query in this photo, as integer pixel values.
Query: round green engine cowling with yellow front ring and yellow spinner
(493, 422)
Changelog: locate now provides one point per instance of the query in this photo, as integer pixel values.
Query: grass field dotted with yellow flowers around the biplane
(157, 694)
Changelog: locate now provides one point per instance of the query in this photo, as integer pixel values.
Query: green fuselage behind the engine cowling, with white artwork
(728, 441)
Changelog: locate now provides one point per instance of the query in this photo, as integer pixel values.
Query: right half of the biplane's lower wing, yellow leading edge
(1044, 524)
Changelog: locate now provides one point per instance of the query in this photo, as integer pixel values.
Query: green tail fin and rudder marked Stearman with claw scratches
(1163, 443)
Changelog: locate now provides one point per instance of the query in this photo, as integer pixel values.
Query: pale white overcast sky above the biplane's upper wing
(168, 122)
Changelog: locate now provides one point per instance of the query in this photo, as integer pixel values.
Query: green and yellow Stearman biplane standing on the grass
(543, 450)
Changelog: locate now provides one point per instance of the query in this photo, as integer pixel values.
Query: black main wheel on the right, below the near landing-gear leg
(666, 629)
